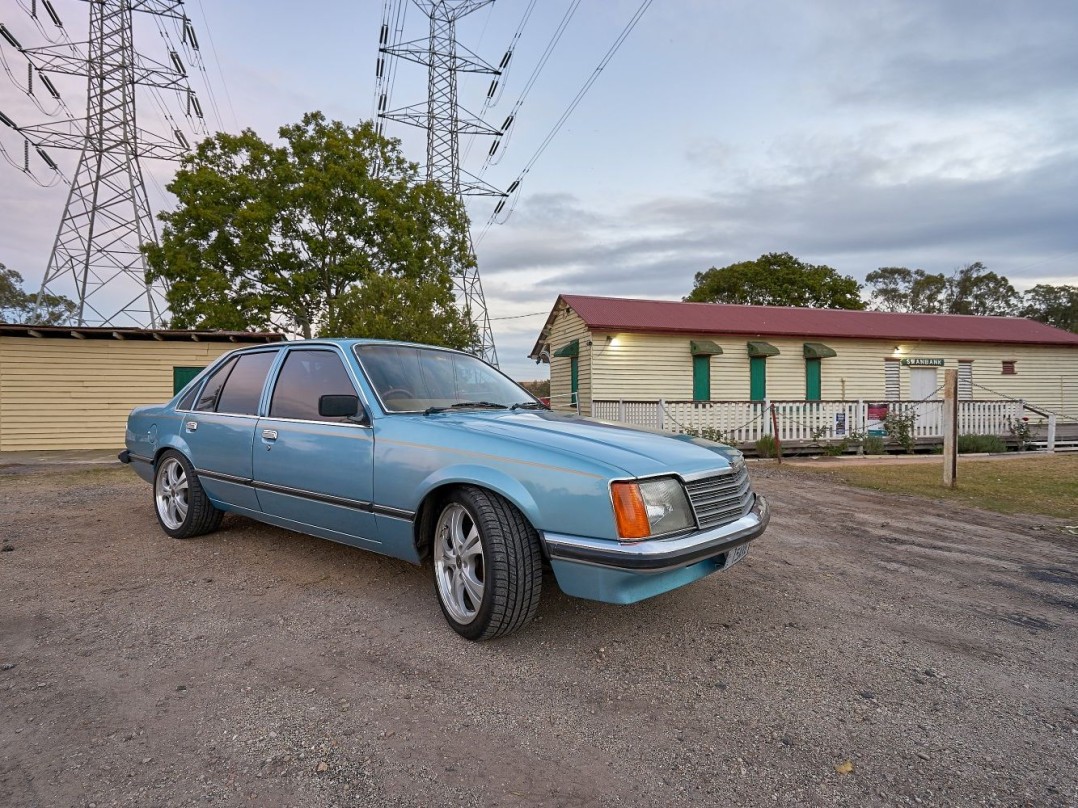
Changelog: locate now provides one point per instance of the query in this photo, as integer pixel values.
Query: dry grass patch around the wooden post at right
(1045, 484)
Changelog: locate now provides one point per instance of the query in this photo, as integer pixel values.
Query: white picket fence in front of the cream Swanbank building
(806, 422)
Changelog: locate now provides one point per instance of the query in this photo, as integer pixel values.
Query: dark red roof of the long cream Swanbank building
(620, 314)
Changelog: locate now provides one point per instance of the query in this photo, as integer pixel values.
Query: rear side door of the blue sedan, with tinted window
(219, 429)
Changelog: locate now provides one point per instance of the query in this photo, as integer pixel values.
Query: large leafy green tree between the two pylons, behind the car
(280, 238)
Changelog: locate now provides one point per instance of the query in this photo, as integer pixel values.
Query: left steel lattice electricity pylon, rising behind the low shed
(107, 217)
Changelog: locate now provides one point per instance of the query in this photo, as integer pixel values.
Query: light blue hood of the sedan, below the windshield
(631, 452)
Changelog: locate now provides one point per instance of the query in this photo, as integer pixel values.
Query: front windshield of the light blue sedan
(411, 380)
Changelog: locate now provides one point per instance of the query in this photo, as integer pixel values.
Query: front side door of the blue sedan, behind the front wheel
(315, 473)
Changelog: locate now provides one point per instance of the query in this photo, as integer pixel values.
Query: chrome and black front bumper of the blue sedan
(660, 555)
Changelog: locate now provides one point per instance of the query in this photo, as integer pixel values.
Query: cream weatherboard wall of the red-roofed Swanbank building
(652, 367)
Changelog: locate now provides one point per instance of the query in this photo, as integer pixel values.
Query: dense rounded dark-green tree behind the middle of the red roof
(778, 280)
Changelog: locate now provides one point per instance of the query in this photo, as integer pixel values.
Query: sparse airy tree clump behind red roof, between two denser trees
(971, 290)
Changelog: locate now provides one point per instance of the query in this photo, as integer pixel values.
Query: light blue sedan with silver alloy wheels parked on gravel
(425, 453)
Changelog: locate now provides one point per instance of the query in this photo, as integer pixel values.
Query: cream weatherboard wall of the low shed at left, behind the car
(62, 394)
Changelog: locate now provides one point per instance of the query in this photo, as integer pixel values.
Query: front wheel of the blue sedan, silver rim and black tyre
(507, 566)
